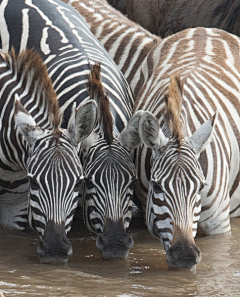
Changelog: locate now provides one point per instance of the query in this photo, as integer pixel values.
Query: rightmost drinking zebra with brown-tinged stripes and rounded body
(207, 60)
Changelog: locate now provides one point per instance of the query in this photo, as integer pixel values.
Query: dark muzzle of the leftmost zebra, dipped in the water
(54, 248)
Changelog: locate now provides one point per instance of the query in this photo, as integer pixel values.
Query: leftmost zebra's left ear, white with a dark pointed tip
(26, 123)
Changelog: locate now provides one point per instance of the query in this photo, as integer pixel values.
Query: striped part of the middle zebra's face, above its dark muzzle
(109, 194)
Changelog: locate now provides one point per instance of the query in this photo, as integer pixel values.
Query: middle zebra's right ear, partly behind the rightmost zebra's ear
(129, 137)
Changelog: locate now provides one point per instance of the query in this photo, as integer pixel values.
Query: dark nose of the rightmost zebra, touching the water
(183, 255)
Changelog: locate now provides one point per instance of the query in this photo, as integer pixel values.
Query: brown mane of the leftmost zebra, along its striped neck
(31, 71)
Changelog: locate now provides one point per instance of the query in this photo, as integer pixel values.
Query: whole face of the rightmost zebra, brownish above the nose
(174, 199)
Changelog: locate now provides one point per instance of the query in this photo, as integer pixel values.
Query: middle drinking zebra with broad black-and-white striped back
(69, 50)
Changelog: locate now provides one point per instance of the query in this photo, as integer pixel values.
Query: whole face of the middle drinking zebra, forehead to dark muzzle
(108, 189)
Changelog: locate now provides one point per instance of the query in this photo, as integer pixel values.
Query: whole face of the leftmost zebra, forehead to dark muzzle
(54, 172)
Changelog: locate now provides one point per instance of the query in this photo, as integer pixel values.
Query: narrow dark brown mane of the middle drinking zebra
(105, 119)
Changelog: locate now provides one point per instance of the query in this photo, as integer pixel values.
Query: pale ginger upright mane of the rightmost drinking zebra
(173, 101)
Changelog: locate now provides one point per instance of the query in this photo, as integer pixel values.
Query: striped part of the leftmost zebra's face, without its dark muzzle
(59, 181)
